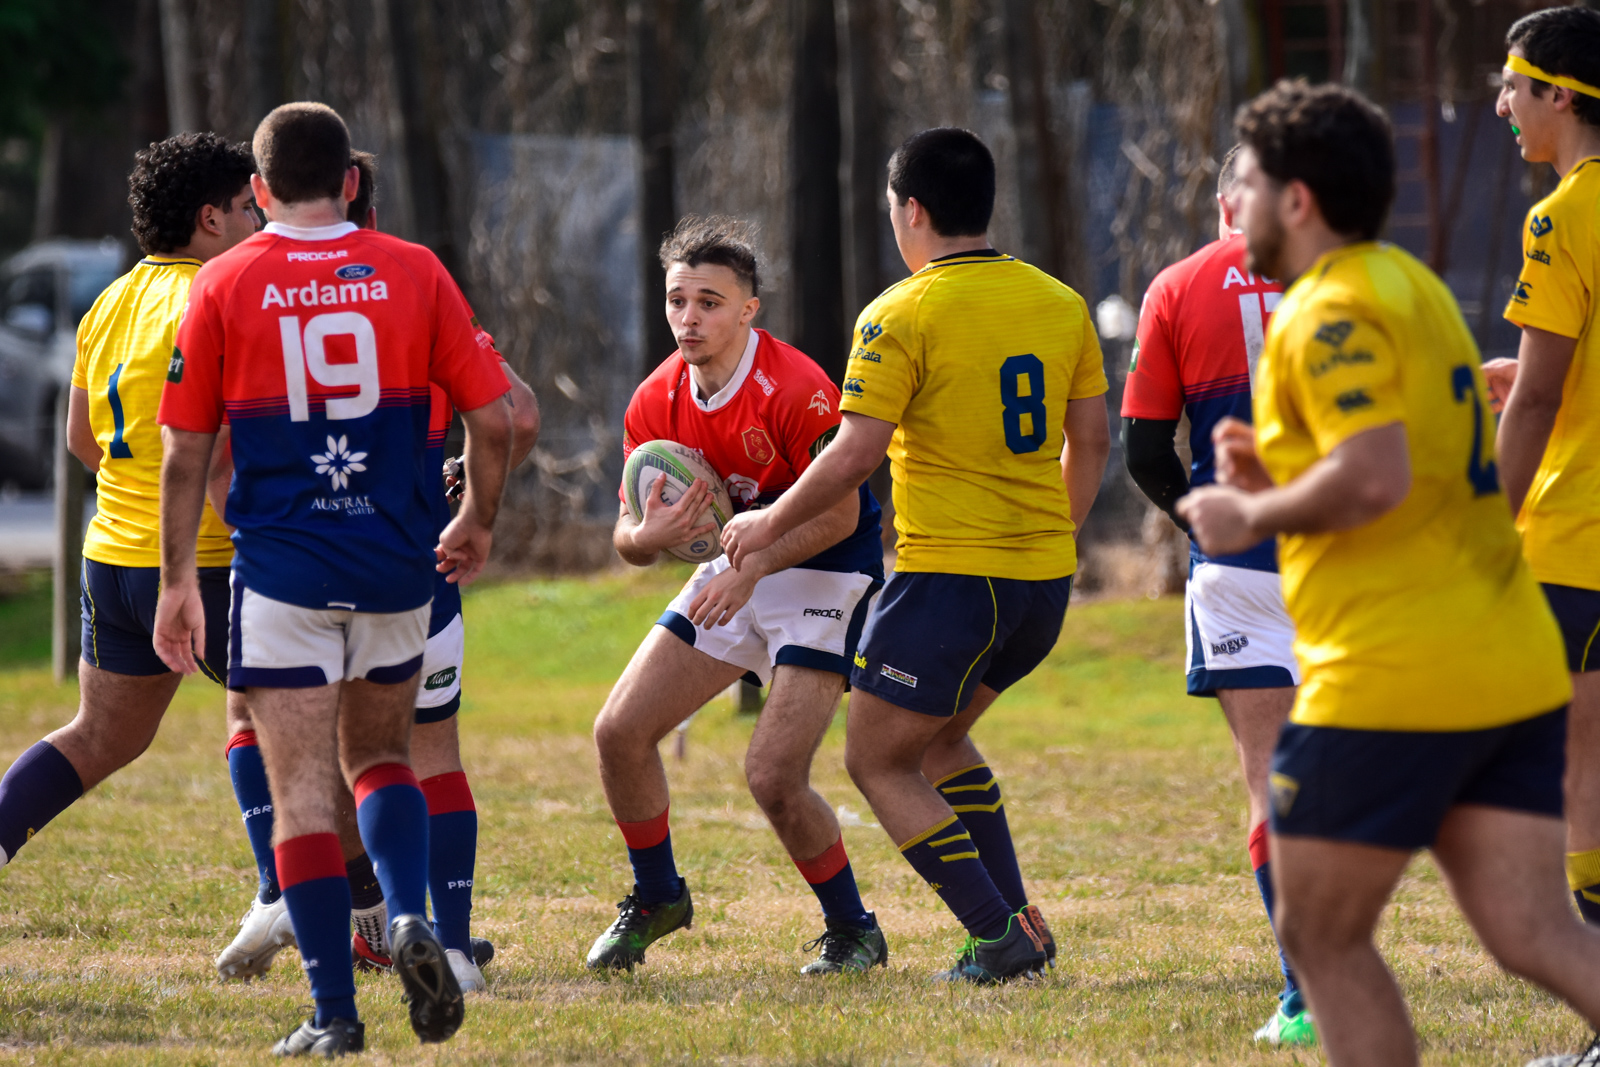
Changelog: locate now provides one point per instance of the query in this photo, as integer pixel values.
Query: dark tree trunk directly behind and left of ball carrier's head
(652, 90)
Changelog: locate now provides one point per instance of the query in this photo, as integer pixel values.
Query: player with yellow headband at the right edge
(1550, 438)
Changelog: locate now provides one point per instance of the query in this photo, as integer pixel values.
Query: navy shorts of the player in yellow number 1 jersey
(119, 618)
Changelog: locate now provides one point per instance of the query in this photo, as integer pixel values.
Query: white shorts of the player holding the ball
(798, 617)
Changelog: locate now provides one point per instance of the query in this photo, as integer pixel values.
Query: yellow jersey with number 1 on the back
(126, 343)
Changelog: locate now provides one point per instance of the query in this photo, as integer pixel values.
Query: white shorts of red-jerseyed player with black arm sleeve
(1239, 634)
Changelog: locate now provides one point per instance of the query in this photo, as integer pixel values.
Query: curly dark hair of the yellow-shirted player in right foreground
(1334, 140)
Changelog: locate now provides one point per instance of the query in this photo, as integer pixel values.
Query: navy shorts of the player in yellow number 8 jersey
(934, 639)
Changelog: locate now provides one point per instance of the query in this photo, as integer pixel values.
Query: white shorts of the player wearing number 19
(279, 645)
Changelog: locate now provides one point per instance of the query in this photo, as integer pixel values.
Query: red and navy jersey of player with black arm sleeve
(1202, 329)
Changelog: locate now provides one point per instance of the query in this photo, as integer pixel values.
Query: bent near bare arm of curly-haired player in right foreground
(1361, 481)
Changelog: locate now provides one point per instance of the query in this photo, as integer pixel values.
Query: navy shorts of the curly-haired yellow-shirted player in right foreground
(1393, 788)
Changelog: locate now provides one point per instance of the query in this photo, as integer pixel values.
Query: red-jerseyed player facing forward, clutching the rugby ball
(759, 412)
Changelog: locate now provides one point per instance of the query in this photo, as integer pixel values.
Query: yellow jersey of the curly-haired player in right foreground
(1426, 618)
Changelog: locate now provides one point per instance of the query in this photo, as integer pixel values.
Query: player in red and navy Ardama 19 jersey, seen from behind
(334, 337)
